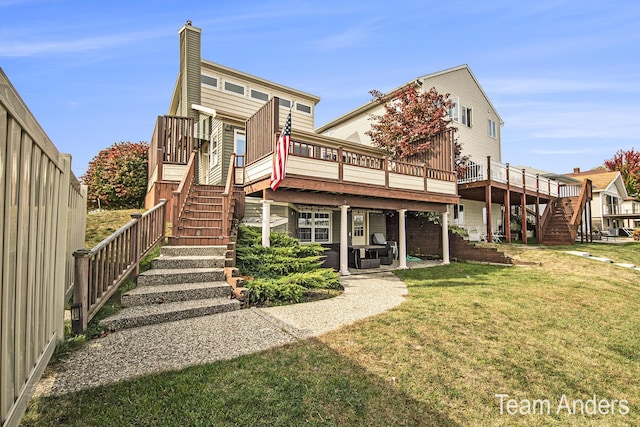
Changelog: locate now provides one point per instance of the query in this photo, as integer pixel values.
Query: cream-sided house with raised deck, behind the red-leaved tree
(492, 194)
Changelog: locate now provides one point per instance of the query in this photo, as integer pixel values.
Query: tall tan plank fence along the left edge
(42, 221)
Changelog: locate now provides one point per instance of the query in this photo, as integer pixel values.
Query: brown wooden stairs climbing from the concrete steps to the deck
(202, 223)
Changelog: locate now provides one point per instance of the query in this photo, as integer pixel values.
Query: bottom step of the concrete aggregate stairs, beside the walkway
(159, 313)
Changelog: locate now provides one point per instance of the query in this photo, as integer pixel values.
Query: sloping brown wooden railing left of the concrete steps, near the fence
(100, 271)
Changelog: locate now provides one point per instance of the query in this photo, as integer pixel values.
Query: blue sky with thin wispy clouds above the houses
(563, 75)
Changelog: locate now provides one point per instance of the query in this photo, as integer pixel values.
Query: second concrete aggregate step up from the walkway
(160, 294)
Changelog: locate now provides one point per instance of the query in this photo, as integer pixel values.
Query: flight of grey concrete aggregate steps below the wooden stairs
(183, 282)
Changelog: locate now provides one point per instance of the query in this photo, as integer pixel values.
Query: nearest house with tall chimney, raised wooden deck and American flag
(337, 192)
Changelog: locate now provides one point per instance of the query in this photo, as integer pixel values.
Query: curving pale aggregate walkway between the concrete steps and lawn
(176, 345)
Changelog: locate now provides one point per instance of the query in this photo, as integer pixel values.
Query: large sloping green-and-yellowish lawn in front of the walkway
(466, 332)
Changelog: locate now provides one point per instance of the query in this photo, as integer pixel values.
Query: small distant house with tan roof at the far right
(611, 209)
